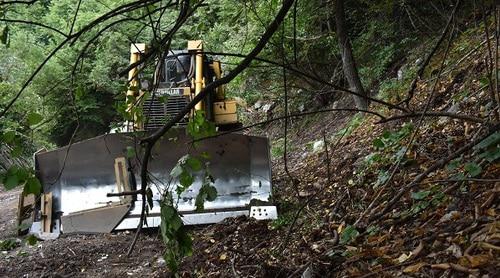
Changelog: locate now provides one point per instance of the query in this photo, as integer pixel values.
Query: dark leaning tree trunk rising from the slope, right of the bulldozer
(348, 63)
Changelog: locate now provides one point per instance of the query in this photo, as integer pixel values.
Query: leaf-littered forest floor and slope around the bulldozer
(444, 226)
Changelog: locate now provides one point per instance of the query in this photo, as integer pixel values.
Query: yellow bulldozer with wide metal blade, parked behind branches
(82, 182)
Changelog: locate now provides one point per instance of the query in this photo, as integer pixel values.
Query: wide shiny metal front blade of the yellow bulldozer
(81, 175)
